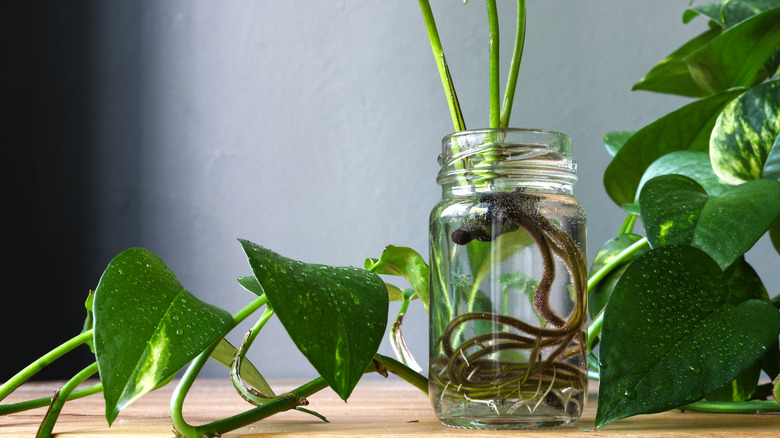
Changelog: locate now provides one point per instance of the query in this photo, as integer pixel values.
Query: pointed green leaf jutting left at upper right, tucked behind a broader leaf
(672, 75)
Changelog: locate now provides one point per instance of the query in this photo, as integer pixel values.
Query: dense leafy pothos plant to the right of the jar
(682, 320)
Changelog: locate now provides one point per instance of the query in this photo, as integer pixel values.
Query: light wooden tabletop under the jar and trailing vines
(378, 407)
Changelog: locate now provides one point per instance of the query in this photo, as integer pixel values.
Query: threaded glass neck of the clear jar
(506, 159)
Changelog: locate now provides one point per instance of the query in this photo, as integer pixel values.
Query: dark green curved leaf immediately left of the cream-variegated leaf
(687, 128)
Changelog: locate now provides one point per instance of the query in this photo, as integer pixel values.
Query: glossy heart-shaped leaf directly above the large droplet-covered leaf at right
(677, 210)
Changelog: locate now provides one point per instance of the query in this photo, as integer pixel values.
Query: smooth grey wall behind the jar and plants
(312, 128)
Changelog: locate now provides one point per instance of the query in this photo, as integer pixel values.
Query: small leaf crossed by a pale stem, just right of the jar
(599, 294)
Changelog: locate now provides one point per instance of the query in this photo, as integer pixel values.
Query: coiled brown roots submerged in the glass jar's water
(537, 357)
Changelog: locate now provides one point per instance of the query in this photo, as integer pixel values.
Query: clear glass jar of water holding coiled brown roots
(508, 283)
